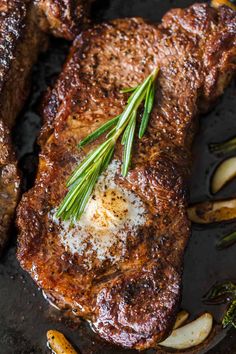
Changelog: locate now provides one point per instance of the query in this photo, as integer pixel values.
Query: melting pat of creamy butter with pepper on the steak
(111, 213)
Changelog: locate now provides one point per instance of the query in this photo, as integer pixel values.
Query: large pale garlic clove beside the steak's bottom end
(190, 335)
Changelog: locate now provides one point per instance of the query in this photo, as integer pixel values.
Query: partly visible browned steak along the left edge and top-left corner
(21, 39)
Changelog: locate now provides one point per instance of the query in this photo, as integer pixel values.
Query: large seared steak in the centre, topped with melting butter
(120, 266)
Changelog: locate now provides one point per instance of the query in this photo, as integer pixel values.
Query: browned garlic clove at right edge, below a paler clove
(209, 212)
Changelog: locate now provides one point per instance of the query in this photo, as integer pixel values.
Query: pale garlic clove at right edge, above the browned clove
(223, 174)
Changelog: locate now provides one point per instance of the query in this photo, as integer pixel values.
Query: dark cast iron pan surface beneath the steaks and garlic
(24, 314)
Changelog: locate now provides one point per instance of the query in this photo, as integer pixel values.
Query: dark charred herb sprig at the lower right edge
(222, 293)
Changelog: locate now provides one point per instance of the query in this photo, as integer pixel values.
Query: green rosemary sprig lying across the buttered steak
(84, 178)
